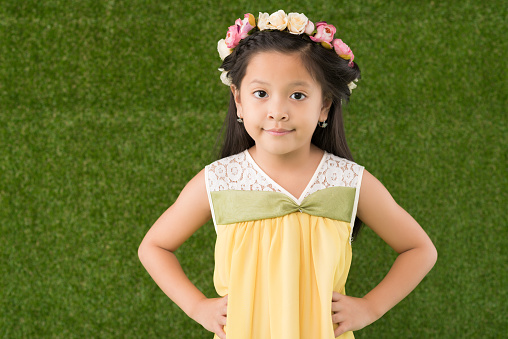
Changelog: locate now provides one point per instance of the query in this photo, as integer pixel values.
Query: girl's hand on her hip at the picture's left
(211, 314)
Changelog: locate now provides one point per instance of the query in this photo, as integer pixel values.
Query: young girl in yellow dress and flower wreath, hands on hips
(286, 198)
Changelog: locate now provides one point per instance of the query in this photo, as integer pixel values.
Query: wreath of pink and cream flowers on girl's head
(294, 23)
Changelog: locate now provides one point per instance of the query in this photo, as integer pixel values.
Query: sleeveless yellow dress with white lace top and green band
(277, 257)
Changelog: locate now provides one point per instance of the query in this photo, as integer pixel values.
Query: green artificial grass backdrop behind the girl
(108, 108)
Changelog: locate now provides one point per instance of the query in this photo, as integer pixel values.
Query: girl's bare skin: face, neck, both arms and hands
(281, 104)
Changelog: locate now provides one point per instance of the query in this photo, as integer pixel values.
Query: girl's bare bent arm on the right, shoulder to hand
(417, 255)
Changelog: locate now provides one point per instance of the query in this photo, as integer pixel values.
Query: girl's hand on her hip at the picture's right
(350, 313)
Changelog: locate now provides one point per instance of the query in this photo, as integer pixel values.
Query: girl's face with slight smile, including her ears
(280, 103)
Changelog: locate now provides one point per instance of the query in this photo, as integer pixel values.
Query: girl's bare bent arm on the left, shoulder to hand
(156, 252)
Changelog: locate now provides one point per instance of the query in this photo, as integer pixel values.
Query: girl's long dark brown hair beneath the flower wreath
(325, 66)
